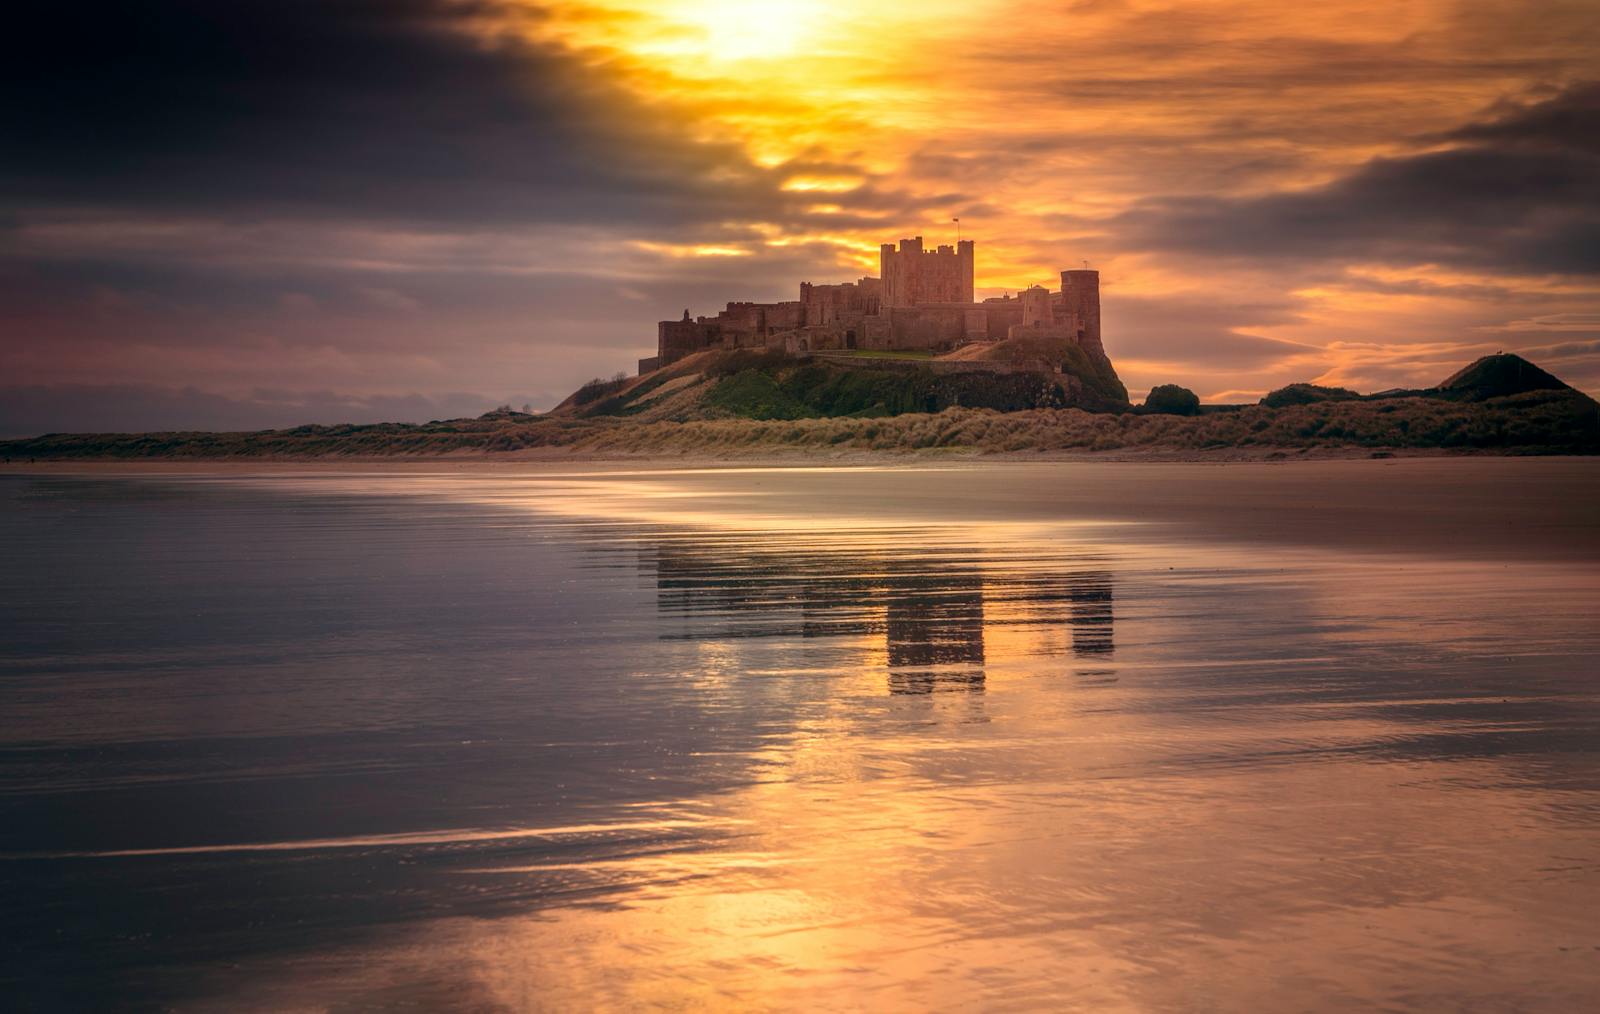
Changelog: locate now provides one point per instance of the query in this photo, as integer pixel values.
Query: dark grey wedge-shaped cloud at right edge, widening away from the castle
(1518, 194)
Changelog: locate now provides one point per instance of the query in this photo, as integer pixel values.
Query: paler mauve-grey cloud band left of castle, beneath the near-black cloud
(162, 340)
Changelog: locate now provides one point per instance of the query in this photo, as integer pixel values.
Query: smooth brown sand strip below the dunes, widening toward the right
(1479, 506)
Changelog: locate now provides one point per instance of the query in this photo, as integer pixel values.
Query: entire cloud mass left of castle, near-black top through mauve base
(380, 196)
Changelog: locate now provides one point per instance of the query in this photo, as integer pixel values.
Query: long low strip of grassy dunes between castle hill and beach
(1530, 423)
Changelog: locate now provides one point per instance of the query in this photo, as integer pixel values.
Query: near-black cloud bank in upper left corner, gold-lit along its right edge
(396, 110)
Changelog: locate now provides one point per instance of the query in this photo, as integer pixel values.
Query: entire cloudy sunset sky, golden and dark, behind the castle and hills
(274, 212)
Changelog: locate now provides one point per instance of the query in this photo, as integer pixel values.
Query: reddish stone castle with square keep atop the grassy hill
(921, 301)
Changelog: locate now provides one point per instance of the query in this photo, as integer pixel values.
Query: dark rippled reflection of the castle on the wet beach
(932, 607)
